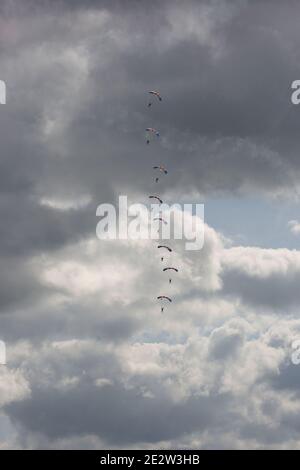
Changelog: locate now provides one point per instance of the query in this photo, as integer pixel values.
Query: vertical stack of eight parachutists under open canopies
(151, 134)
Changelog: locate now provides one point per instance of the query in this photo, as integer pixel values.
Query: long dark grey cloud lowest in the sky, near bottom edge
(117, 415)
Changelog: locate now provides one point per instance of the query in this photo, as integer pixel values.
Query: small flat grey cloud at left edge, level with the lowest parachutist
(107, 324)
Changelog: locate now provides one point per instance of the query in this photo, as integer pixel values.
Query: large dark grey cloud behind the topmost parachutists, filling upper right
(237, 127)
